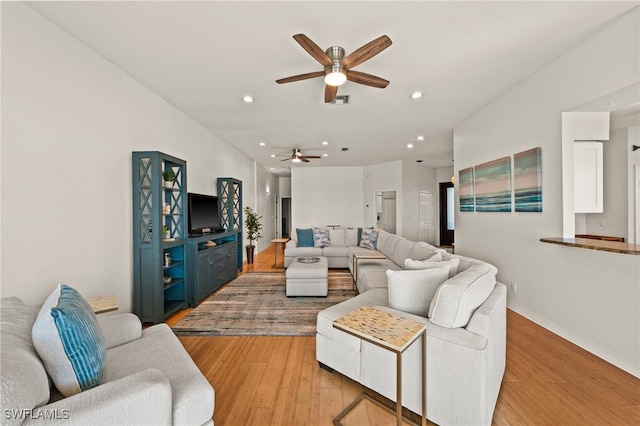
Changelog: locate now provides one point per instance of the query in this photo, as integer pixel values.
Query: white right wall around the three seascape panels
(589, 297)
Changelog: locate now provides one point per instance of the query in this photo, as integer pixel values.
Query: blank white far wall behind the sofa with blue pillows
(322, 196)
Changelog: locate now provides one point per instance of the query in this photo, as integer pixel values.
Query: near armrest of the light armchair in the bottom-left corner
(143, 398)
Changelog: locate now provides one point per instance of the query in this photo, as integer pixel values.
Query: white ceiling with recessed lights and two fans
(204, 56)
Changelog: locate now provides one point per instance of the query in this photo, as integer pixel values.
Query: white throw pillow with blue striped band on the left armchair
(69, 341)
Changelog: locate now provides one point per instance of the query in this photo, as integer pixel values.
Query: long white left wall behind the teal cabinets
(70, 121)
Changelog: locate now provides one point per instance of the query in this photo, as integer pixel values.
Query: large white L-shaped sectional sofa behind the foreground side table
(465, 312)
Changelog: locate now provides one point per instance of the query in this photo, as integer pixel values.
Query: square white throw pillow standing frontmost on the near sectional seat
(412, 291)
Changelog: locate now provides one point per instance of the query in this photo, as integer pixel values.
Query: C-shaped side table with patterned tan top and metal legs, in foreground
(393, 333)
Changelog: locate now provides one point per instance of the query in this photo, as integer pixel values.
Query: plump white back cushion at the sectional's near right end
(458, 297)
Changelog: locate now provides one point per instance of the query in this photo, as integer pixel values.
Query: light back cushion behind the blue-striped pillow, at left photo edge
(24, 379)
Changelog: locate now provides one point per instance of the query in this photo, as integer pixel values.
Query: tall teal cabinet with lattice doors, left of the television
(152, 301)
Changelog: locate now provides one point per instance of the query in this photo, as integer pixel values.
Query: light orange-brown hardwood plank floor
(277, 381)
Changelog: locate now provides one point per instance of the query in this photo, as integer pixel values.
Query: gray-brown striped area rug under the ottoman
(255, 304)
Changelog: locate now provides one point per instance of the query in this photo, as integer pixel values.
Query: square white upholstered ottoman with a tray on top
(308, 279)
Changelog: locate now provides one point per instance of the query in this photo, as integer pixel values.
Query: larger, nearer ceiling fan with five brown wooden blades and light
(338, 68)
